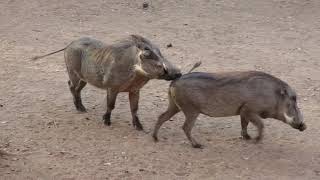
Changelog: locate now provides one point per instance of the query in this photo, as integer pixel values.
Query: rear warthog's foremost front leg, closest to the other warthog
(134, 104)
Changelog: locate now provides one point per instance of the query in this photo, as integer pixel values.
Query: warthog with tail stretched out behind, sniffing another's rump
(125, 66)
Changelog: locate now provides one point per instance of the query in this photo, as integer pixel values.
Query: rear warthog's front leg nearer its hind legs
(111, 101)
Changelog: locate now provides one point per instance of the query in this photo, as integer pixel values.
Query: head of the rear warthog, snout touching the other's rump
(152, 63)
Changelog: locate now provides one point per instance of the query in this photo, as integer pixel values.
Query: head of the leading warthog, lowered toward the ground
(289, 111)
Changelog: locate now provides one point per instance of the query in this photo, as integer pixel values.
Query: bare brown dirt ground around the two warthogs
(47, 139)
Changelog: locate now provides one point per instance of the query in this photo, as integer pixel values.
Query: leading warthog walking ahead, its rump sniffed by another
(253, 95)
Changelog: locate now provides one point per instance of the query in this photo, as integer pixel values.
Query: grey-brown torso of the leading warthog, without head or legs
(223, 94)
